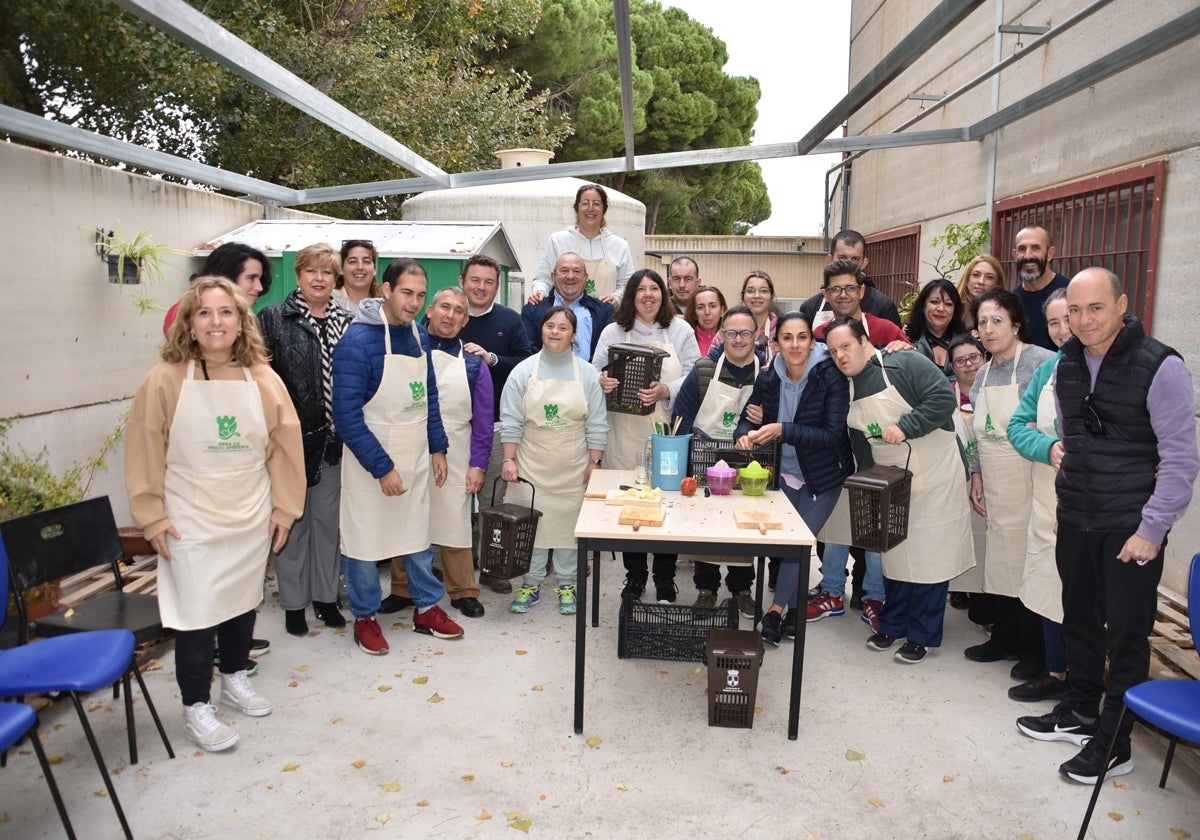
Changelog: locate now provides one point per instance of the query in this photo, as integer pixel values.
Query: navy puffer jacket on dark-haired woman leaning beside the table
(819, 429)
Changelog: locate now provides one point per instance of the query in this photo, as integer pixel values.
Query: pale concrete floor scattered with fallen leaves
(473, 739)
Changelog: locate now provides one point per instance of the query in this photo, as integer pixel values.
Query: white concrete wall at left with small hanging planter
(75, 347)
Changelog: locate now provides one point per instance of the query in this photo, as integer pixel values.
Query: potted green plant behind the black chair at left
(29, 485)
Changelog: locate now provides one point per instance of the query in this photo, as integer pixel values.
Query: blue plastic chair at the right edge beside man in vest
(1171, 705)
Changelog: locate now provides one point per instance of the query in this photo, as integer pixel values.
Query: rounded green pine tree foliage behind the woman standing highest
(683, 100)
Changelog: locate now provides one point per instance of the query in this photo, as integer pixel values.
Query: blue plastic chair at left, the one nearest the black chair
(75, 665)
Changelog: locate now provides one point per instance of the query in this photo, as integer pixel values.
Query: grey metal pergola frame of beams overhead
(193, 28)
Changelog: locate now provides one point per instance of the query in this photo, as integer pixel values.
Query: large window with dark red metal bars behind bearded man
(1111, 220)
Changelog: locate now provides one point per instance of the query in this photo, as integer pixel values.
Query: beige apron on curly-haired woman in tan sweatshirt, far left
(218, 495)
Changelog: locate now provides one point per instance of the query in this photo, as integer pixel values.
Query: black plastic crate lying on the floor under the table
(673, 632)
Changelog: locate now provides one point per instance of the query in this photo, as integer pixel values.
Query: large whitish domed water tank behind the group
(530, 212)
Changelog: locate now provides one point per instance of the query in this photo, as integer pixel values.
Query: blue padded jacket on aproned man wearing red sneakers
(358, 370)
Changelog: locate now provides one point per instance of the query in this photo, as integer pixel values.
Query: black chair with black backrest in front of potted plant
(62, 542)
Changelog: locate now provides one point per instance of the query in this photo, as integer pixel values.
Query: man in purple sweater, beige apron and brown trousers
(465, 398)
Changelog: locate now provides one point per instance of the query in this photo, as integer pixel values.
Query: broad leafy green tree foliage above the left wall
(410, 68)
